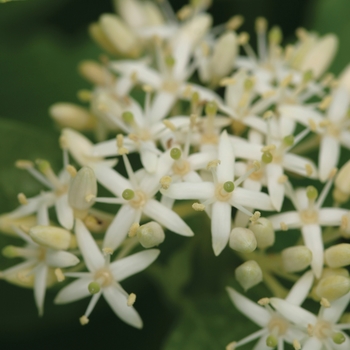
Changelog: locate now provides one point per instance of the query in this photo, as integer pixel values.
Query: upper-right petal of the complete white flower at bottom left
(133, 264)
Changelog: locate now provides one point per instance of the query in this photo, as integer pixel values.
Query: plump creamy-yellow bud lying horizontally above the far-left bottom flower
(51, 237)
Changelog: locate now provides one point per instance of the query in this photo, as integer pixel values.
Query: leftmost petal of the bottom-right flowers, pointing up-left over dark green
(253, 311)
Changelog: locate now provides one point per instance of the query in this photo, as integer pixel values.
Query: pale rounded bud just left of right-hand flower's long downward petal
(296, 258)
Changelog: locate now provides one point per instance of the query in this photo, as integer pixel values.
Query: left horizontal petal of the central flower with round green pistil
(184, 190)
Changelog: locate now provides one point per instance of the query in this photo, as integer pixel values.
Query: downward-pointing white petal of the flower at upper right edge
(328, 157)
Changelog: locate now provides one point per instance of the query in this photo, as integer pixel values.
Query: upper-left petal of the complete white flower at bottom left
(90, 251)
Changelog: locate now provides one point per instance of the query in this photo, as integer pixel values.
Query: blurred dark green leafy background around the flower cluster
(41, 44)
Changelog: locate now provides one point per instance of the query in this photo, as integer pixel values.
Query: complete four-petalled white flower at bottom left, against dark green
(103, 278)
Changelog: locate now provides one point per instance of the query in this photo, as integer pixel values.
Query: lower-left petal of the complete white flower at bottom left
(74, 291)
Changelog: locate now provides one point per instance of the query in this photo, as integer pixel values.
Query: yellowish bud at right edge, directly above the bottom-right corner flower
(332, 287)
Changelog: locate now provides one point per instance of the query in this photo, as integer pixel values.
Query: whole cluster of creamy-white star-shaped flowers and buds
(236, 155)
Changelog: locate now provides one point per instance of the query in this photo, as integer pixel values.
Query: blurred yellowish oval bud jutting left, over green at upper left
(72, 116)
